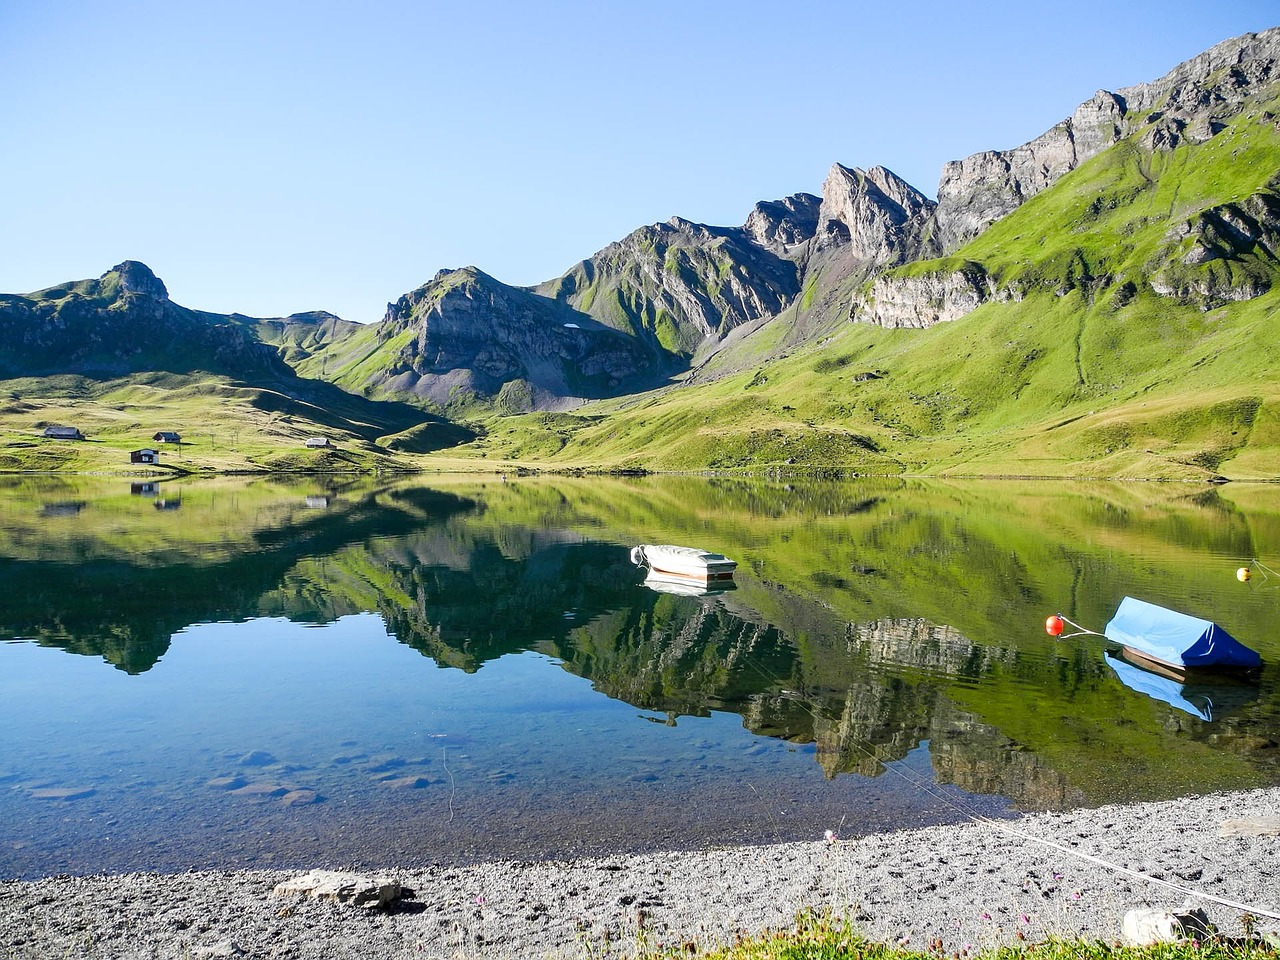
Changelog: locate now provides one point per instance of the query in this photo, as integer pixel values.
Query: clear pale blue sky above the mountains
(271, 158)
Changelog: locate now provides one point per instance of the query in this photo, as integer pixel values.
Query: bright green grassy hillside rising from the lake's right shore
(1077, 365)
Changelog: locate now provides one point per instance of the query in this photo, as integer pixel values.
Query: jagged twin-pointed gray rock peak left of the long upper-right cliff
(877, 216)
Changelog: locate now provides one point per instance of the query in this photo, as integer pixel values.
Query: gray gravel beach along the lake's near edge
(970, 886)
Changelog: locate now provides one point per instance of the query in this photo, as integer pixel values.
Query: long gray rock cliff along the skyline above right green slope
(1188, 102)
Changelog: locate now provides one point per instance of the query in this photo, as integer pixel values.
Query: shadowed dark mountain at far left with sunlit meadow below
(118, 342)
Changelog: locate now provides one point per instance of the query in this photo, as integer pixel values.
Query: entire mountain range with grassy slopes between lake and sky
(1099, 301)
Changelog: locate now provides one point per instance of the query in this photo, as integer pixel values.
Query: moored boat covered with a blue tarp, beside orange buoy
(1176, 639)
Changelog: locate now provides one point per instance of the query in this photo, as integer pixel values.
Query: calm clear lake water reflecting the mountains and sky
(231, 674)
